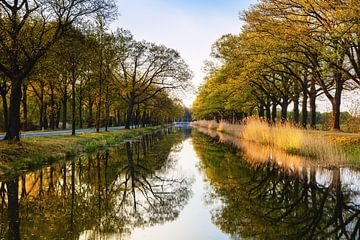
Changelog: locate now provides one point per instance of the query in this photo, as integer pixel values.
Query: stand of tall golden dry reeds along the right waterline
(282, 137)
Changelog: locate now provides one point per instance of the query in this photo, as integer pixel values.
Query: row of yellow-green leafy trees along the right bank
(288, 54)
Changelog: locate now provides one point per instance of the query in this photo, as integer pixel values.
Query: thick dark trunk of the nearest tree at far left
(13, 132)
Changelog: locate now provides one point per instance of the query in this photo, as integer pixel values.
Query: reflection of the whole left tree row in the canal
(110, 192)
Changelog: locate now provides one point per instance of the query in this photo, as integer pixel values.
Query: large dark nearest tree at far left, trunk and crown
(29, 29)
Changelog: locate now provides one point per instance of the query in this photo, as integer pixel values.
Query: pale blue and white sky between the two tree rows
(189, 26)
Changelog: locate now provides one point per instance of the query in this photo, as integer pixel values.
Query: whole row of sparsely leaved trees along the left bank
(61, 67)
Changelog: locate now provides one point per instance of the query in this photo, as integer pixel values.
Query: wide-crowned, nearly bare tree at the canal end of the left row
(145, 70)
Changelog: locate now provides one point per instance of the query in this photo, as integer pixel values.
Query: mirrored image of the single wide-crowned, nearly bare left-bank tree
(153, 196)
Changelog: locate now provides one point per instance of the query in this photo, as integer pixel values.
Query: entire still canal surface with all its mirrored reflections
(182, 184)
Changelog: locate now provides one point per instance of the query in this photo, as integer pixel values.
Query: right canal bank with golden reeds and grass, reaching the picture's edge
(328, 150)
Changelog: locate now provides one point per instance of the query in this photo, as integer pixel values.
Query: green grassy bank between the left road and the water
(36, 151)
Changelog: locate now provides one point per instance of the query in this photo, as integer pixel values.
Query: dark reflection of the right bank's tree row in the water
(265, 201)
